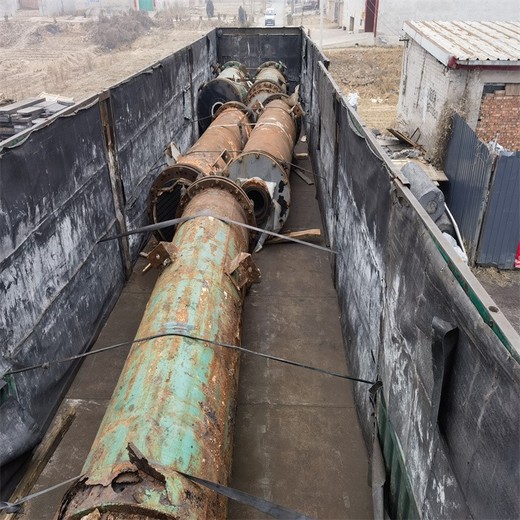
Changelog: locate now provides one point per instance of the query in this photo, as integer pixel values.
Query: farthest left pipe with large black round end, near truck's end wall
(231, 84)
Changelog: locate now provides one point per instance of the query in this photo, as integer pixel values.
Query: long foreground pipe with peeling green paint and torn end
(173, 407)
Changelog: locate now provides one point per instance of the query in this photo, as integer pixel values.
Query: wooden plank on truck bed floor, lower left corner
(41, 455)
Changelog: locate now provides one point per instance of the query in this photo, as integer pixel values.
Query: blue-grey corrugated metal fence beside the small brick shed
(483, 196)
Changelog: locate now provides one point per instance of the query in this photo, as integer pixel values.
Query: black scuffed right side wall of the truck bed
(405, 300)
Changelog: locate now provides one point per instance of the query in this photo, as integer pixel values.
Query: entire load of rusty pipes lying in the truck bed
(172, 411)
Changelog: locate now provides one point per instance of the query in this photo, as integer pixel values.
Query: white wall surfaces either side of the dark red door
(393, 13)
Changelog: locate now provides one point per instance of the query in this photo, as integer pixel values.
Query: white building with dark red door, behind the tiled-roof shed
(385, 18)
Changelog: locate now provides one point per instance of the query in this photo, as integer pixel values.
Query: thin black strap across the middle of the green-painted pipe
(47, 364)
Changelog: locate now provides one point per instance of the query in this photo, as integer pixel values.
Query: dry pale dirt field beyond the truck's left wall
(66, 56)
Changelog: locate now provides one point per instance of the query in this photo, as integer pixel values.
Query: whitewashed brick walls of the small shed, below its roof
(430, 93)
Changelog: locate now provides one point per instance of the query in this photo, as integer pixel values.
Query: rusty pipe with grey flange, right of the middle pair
(262, 169)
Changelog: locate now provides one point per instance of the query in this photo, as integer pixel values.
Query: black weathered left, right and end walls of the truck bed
(87, 175)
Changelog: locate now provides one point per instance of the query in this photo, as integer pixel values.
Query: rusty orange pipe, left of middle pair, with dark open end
(210, 155)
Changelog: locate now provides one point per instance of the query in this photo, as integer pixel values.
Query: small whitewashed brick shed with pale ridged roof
(456, 66)
